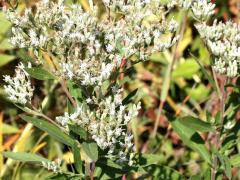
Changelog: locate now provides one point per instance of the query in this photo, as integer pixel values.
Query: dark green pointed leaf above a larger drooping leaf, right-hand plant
(196, 124)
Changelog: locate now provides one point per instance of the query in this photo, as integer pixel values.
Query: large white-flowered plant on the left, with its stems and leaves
(87, 55)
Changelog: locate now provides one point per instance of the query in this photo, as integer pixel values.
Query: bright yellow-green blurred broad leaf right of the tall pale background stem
(186, 69)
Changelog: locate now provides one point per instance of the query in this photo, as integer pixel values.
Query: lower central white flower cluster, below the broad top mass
(106, 121)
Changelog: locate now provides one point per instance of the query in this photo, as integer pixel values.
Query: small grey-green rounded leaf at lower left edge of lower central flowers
(91, 150)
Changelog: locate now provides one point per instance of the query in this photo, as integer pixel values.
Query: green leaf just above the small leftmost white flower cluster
(39, 73)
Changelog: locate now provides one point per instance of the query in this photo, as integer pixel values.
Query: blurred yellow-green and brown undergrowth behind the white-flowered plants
(190, 94)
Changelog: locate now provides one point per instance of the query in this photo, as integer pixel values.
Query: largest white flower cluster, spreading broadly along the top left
(88, 48)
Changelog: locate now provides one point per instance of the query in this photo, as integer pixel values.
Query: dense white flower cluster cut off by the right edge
(223, 39)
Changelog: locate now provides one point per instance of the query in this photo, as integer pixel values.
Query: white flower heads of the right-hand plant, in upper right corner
(223, 39)
